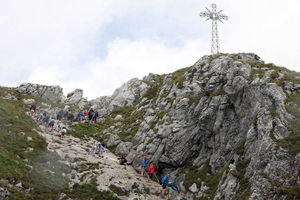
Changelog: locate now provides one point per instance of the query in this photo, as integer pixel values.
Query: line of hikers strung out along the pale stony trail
(146, 166)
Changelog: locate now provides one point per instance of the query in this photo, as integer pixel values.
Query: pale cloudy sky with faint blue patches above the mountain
(97, 45)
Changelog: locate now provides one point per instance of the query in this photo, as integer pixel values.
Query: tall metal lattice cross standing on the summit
(215, 16)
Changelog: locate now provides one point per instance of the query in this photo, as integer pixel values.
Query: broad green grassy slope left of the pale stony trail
(35, 168)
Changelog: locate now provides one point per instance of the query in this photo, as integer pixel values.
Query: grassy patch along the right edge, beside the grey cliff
(292, 143)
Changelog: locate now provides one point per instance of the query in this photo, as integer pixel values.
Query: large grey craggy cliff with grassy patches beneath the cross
(226, 113)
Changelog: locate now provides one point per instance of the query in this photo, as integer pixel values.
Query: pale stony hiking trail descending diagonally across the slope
(105, 172)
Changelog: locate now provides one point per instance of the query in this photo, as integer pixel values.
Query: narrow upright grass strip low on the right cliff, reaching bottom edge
(244, 191)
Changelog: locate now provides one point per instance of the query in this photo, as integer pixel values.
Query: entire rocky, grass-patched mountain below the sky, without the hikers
(226, 128)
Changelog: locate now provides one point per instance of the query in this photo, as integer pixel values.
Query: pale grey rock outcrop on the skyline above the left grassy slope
(52, 93)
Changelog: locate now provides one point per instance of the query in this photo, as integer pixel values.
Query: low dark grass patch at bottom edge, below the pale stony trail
(89, 191)
